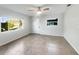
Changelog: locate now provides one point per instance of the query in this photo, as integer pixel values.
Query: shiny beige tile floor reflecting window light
(36, 44)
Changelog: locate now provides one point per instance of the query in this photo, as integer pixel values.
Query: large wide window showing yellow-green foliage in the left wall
(10, 23)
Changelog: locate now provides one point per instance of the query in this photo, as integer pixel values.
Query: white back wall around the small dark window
(40, 24)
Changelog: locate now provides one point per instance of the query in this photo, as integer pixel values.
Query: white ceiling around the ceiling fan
(22, 8)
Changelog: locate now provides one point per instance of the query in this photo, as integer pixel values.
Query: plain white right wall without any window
(71, 26)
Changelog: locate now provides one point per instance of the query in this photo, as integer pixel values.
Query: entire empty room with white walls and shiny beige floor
(39, 29)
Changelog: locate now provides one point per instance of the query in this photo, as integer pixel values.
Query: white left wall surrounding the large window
(6, 37)
